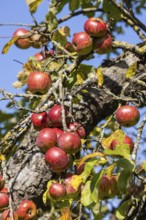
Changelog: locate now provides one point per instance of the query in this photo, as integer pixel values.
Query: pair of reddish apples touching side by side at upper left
(28, 39)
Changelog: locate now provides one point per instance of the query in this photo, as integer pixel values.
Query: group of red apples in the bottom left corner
(26, 210)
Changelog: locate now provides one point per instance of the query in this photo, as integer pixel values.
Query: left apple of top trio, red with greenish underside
(82, 43)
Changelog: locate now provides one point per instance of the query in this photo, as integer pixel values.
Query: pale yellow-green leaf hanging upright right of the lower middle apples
(86, 199)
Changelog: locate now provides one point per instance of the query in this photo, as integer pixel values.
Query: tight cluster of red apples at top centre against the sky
(94, 38)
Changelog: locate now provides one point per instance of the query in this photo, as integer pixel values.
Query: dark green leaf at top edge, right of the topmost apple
(111, 10)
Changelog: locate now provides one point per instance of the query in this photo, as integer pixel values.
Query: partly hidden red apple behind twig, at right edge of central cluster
(78, 128)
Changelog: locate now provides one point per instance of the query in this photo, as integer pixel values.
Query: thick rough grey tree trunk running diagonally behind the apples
(27, 170)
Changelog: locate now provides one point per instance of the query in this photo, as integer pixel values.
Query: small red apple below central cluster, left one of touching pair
(57, 191)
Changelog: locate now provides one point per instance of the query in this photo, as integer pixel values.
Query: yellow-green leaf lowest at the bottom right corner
(122, 210)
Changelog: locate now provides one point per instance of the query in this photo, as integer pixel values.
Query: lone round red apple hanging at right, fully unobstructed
(127, 115)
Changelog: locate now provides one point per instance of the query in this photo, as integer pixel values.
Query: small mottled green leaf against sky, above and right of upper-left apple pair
(52, 21)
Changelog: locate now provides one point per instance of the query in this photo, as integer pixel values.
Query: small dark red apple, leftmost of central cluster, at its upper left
(40, 120)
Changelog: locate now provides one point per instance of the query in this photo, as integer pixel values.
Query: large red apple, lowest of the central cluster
(57, 159)
